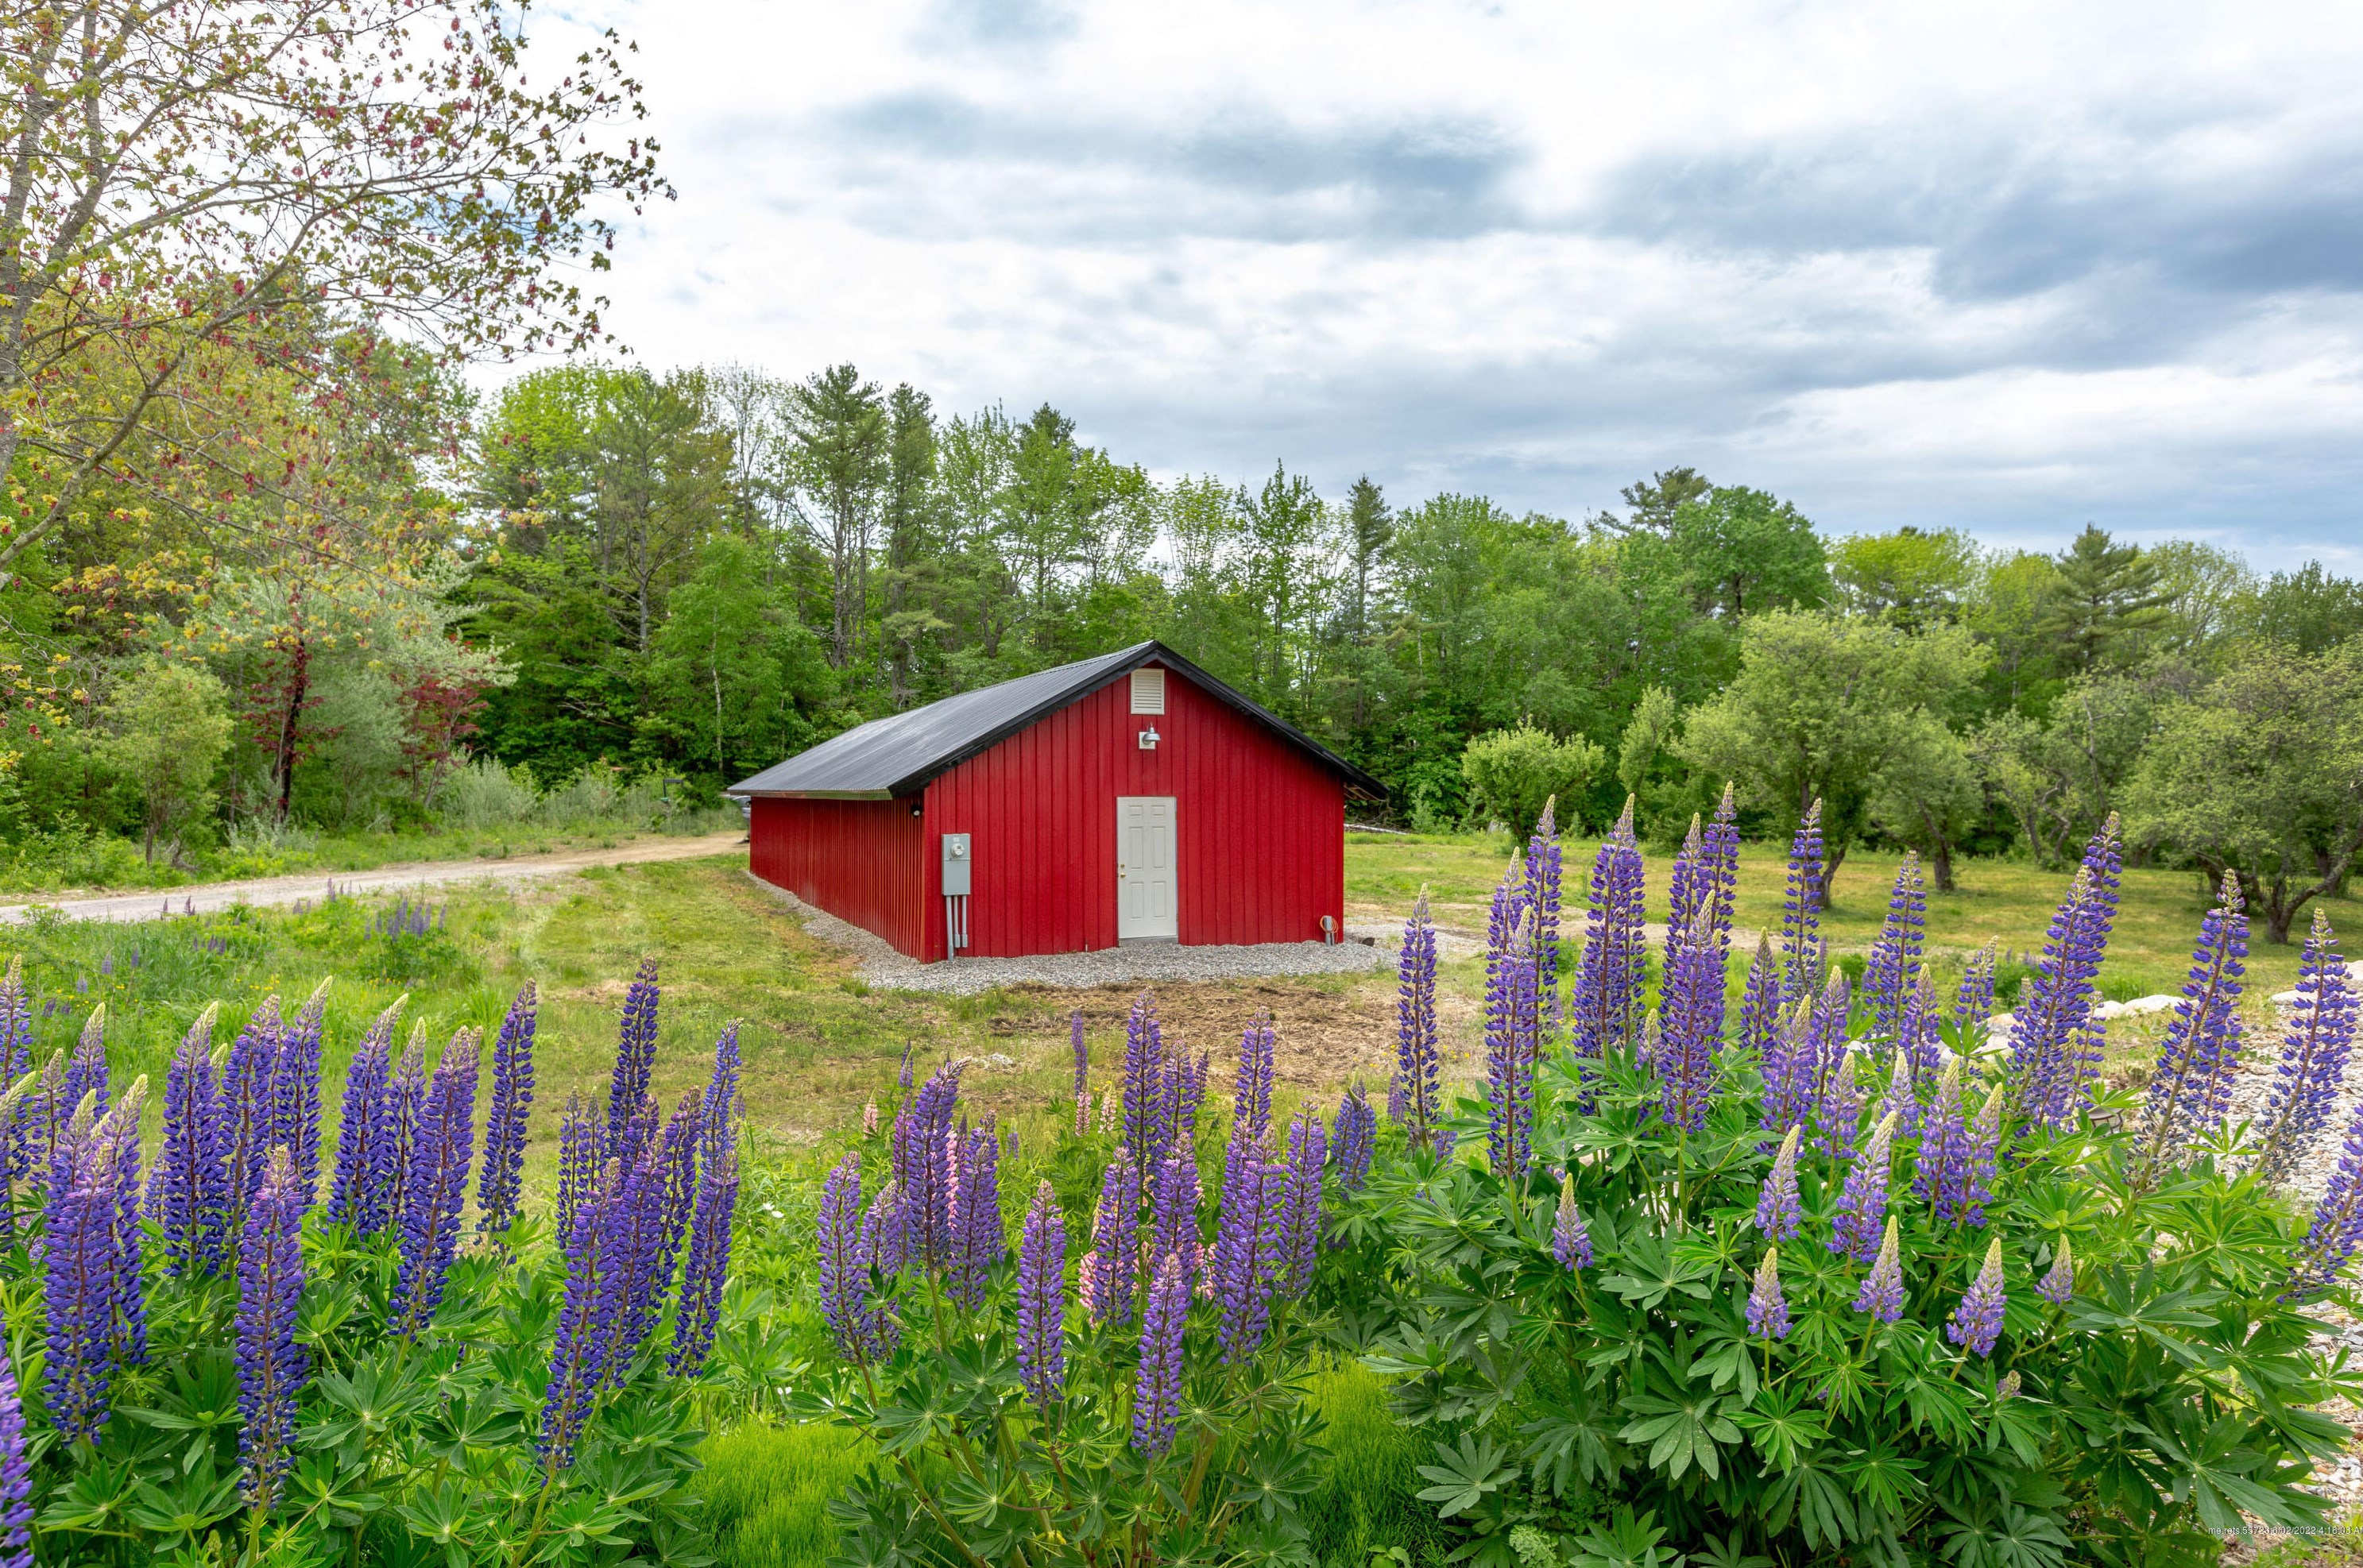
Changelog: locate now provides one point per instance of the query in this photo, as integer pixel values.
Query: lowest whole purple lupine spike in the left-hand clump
(273, 1368)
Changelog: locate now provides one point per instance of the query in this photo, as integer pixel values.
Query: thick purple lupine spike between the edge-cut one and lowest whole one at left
(82, 1281)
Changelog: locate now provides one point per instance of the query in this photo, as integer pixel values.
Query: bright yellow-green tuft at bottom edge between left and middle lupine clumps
(769, 1491)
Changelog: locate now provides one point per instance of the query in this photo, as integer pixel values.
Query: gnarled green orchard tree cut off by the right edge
(2260, 776)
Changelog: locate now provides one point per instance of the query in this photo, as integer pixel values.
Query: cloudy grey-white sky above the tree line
(1996, 266)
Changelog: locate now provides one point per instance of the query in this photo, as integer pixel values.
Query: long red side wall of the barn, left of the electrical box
(861, 861)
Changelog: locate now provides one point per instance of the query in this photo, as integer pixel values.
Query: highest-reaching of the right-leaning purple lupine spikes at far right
(2052, 1031)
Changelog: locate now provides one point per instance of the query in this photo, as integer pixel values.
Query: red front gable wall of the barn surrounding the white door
(1258, 830)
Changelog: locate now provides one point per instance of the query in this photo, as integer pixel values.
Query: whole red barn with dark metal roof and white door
(1121, 799)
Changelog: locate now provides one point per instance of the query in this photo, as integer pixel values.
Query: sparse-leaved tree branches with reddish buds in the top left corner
(193, 188)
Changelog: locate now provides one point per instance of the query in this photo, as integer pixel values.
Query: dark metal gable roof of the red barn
(899, 754)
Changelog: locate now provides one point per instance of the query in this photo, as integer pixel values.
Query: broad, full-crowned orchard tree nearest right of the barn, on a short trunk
(1821, 710)
